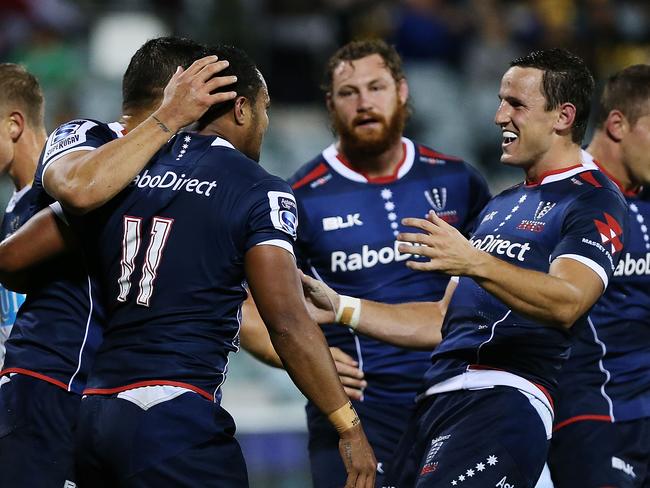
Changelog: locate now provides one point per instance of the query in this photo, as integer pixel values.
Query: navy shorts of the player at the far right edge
(595, 454)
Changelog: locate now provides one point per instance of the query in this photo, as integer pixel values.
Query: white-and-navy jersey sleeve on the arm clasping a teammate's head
(77, 135)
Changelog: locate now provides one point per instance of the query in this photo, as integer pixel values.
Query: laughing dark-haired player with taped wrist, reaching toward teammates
(540, 257)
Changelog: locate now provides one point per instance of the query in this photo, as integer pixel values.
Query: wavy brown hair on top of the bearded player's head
(360, 49)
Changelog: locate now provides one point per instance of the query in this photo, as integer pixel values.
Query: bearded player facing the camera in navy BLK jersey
(350, 201)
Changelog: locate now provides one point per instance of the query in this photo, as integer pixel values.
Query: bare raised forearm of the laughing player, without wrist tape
(541, 296)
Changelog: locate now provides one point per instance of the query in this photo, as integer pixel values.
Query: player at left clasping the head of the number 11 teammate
(58, 327)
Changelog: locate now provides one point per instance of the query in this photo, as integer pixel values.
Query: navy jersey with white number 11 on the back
(169, 253)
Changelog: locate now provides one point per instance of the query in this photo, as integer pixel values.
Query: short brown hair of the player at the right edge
(627, 91)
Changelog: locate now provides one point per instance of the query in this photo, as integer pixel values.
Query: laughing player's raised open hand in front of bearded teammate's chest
(447, 249)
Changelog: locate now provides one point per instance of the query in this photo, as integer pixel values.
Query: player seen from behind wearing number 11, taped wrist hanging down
(172, 251)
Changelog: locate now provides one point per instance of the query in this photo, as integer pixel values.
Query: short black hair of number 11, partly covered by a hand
(248, 85)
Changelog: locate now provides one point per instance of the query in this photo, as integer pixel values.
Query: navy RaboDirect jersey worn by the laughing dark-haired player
(576, 213)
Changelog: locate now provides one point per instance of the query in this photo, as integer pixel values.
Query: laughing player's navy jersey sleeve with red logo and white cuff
(593, 231)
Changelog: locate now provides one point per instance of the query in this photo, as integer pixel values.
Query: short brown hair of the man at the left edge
(19, 86)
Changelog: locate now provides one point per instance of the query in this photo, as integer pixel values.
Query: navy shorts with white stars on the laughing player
(472, 439)
